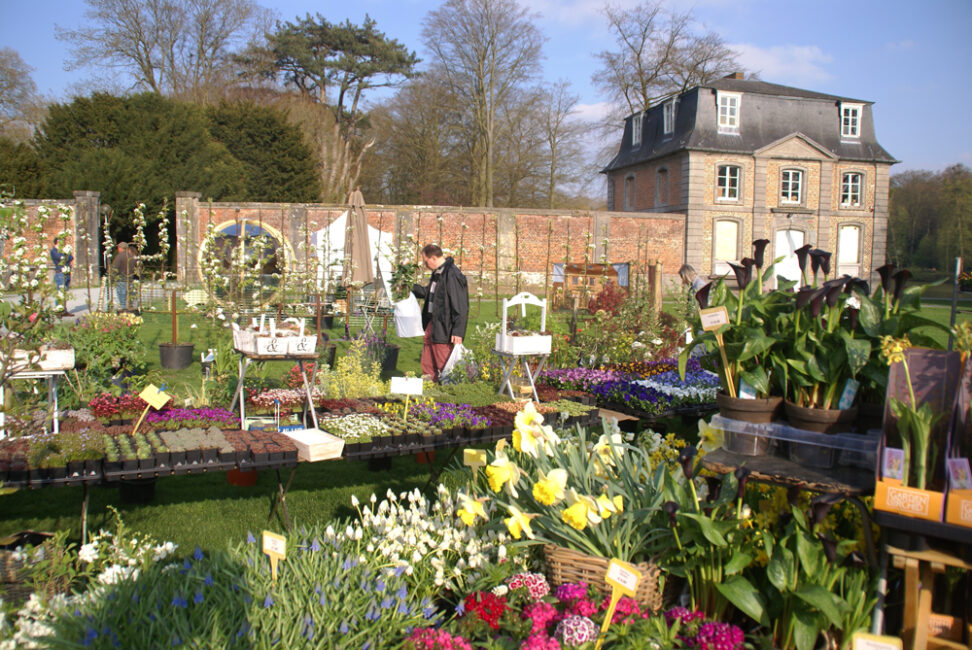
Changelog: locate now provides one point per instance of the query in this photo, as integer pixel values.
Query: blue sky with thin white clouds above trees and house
(914, 60)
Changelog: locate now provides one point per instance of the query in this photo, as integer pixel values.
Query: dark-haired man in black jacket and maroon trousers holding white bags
(445, 312)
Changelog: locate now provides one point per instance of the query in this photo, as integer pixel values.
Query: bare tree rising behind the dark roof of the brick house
(657, 53)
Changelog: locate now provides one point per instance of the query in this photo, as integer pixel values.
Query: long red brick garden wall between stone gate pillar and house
(516, 246)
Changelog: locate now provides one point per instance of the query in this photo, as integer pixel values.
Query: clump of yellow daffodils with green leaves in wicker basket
(599, 500)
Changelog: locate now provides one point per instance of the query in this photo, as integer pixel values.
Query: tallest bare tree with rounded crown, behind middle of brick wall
(486, 50)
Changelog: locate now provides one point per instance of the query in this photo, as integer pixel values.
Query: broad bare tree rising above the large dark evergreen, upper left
(180, 48)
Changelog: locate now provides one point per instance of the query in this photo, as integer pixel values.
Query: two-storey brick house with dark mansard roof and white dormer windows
(744, 160)
